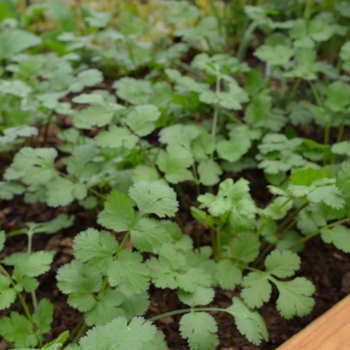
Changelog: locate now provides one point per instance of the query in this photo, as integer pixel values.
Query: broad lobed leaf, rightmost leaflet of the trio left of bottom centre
(129, 273)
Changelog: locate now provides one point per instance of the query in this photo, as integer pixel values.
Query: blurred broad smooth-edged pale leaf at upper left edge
(15, 41)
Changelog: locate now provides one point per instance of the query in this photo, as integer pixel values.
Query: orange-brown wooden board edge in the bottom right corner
(331, 331)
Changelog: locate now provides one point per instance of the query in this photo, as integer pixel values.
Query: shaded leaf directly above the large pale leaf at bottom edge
(106, 308)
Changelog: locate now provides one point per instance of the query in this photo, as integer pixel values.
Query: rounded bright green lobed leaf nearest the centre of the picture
(174, 163)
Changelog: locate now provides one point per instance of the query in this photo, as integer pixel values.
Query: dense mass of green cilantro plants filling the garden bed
(131, 151)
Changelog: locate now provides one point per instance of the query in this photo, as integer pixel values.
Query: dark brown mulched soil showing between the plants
(327, 267)
